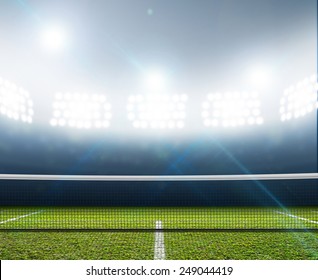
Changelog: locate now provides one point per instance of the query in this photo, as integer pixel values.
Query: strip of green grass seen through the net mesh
(172, 218)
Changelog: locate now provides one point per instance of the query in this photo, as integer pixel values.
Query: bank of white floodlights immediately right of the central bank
(231, 109)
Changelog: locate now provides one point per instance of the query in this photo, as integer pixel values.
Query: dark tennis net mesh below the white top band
(89, 205)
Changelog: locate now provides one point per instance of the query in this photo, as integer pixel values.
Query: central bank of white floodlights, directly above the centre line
(156, 111)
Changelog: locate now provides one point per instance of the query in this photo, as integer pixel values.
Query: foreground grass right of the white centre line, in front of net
(242, 246)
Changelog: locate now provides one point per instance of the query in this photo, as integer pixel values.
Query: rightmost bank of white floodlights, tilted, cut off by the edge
(300, 99)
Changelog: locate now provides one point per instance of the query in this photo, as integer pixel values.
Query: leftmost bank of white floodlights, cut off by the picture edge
(15, 102)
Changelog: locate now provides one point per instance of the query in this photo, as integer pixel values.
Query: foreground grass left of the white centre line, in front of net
(76, 245)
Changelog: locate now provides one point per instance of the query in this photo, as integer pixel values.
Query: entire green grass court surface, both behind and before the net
(92, 233)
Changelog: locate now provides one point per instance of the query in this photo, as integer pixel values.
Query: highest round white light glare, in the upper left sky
(54, 38)
